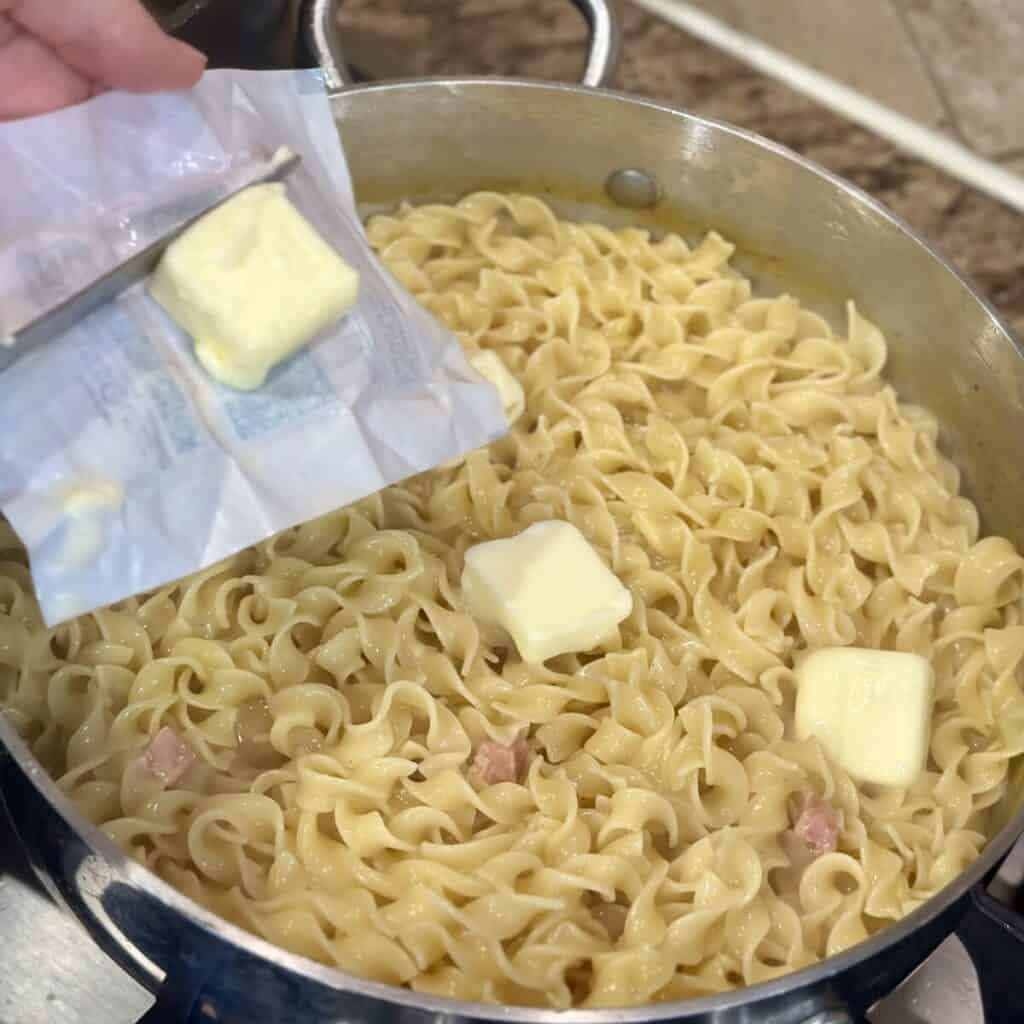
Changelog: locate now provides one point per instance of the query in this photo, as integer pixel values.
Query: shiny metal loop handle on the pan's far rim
(324, 40)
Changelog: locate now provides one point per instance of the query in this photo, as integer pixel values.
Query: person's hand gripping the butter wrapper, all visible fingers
(55, 54)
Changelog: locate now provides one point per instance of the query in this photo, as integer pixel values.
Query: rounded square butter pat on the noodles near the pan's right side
(871, 711)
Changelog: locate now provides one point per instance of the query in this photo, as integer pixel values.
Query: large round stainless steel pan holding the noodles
(799, 228)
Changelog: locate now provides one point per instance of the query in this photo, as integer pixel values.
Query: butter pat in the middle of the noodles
(548, 588)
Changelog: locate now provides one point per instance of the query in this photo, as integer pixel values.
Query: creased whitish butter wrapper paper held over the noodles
(123, 465)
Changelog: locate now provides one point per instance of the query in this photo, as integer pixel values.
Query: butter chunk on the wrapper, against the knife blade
(252, 282)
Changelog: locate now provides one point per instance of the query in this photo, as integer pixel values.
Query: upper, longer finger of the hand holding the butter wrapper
(114, 44)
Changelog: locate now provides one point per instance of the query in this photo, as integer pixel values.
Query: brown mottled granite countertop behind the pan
(547, 39)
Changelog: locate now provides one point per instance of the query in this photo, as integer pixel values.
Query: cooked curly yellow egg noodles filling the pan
(750, 478)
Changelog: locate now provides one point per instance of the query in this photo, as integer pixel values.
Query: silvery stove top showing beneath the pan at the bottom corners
(52, 971)
